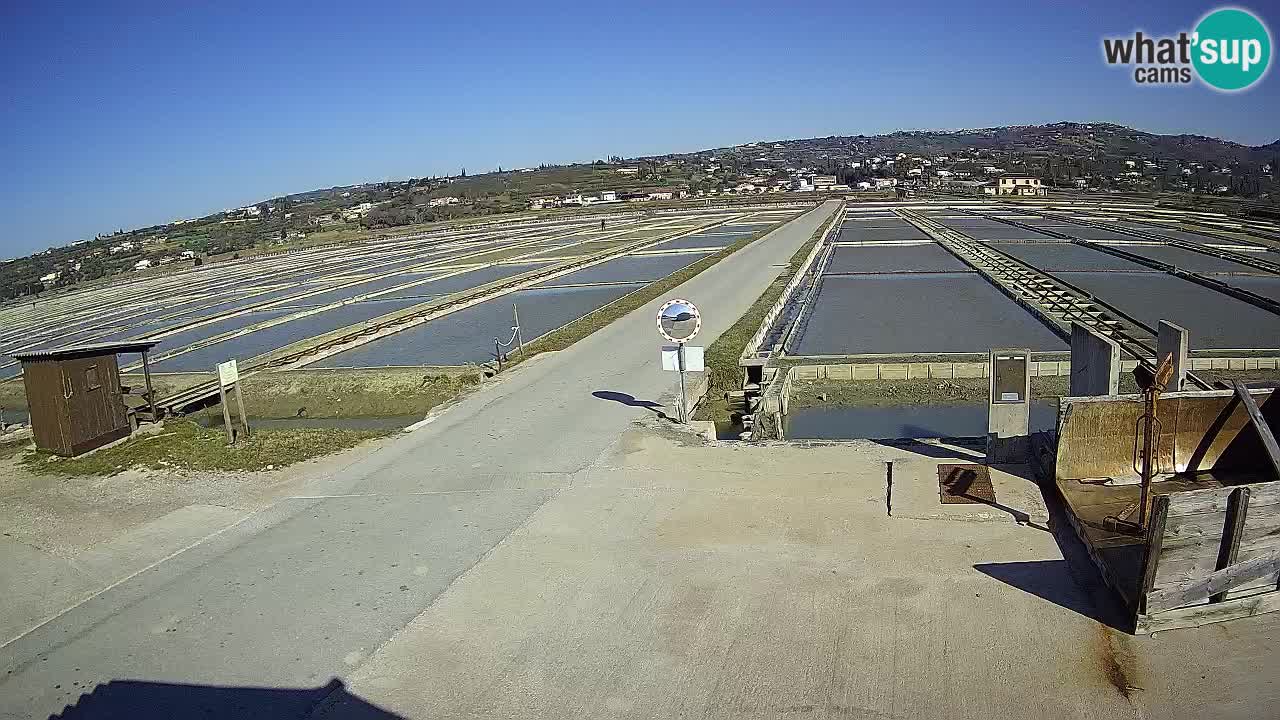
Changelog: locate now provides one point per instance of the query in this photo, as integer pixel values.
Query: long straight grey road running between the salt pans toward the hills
(309, 589)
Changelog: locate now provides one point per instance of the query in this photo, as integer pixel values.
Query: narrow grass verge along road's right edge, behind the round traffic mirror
(723, 356)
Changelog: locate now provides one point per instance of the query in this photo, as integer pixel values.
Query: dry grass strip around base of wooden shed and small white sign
(186, 446)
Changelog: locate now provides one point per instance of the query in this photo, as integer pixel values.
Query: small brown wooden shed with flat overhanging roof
(75, 395)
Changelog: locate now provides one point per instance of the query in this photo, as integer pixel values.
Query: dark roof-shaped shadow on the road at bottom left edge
(141, 700)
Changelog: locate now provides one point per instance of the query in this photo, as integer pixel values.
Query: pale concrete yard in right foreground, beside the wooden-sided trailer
(676, 581)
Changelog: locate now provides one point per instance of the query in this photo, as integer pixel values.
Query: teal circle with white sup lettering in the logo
(1232, 49)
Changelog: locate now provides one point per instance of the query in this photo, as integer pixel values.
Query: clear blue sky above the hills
(138, 113)
